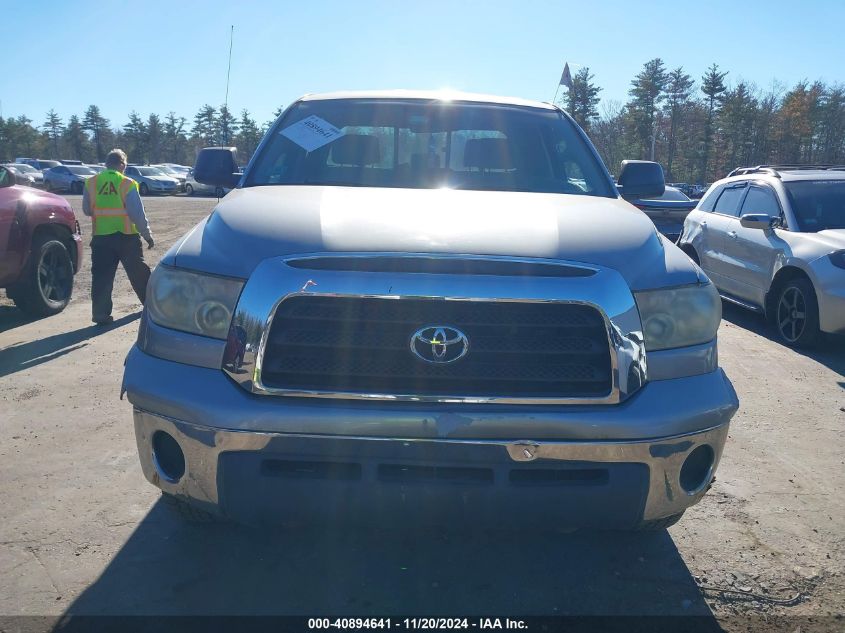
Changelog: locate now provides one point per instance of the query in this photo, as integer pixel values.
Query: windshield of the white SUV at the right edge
(817, 204)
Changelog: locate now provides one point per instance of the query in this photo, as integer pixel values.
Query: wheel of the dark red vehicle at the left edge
(47, 282)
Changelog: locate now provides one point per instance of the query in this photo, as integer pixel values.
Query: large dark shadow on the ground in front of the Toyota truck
(168, 567)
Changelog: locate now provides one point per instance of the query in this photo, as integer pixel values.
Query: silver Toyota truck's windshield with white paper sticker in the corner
(429, 144)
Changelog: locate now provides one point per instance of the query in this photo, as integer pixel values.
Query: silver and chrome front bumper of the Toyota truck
(258, 458)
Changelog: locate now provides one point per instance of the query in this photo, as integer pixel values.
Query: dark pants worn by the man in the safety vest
(106, 252)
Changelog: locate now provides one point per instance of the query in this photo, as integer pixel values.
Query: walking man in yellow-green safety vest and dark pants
(118, 220)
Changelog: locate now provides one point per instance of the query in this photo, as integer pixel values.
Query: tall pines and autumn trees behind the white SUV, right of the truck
(700, 130)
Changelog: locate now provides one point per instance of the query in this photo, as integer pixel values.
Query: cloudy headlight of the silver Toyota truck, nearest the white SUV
(679, 317)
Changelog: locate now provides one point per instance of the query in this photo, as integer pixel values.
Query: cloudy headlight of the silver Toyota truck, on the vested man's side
(192, 302)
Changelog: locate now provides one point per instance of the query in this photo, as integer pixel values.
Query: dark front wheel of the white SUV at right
(796, 313)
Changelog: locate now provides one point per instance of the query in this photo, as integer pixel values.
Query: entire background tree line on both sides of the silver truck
(698, 129)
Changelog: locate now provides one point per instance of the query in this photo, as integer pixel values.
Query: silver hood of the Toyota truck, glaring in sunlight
(255, 223)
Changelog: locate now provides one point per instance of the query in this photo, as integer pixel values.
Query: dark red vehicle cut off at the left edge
(40, 247)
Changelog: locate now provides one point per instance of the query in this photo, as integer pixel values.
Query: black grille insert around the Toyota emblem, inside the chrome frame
(361, 345)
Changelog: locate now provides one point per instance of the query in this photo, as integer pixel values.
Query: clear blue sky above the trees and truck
(156, 56)
